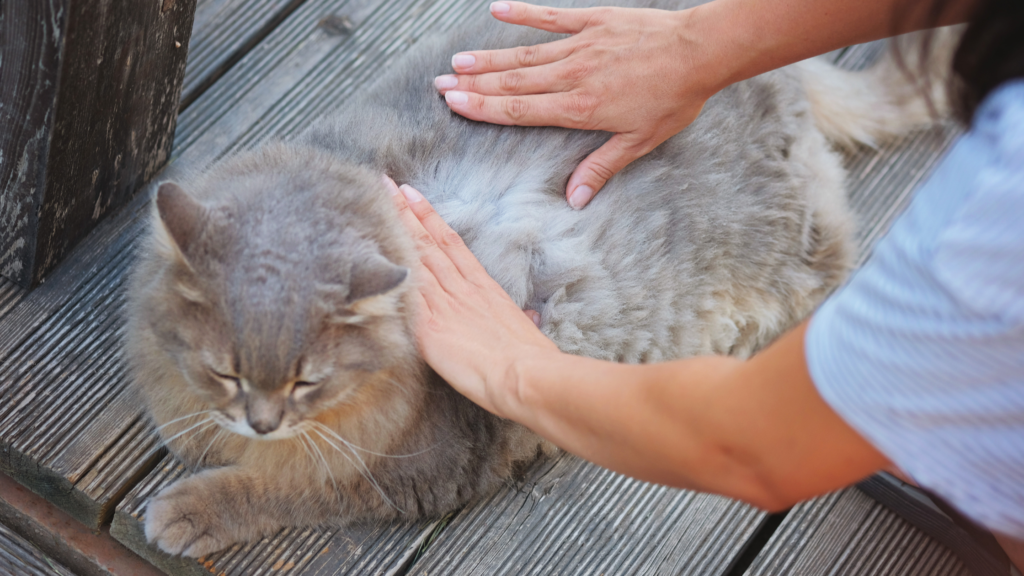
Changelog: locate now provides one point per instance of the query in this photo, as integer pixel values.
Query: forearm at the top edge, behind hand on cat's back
(740, 39)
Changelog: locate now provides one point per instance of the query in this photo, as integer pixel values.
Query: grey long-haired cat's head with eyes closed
(278, 296)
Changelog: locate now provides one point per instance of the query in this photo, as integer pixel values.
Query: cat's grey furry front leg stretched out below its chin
(219, 508)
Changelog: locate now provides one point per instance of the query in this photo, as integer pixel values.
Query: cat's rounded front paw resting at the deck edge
(180, 521)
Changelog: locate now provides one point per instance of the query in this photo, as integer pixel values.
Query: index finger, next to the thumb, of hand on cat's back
(571, 110)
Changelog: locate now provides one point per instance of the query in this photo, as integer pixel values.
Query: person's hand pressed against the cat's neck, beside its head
(467, 327)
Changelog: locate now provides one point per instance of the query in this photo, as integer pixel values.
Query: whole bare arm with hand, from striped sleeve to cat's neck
(753, 430)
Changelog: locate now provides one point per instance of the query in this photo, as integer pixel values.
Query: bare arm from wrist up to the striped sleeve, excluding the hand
(752, 430)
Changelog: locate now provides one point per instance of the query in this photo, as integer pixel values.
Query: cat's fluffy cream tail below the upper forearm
(887, 100)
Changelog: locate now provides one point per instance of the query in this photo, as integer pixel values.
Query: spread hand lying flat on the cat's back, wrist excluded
(628, 71)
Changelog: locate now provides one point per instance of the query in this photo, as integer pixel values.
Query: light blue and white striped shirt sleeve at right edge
(923, 352)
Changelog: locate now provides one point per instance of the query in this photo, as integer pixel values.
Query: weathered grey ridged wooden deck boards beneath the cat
(267, 68)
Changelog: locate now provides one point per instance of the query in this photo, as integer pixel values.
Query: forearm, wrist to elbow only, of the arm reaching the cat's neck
(656, 423)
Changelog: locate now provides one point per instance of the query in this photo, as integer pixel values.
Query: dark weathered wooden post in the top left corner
(89, 102)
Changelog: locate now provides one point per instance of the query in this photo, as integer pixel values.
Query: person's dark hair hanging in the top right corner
(991, 53)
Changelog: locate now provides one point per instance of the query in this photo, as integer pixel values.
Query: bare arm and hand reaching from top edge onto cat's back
(645, 75)
